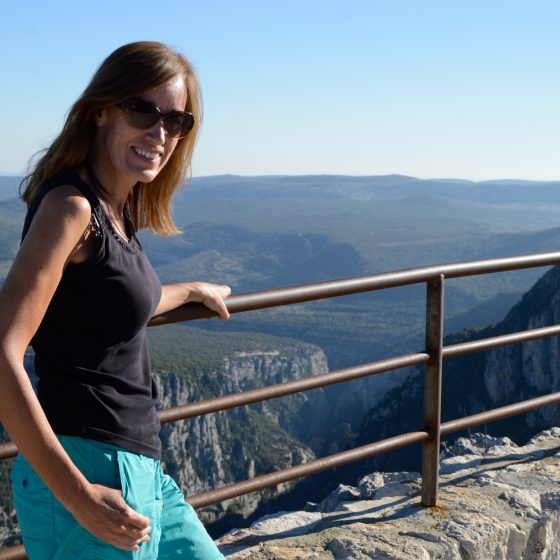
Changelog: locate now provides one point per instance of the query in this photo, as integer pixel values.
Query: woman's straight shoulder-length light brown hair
(131, 70)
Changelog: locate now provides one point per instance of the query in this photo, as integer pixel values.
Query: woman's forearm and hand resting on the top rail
(210, 295)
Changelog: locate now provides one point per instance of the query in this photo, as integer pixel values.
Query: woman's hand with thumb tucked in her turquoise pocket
(106, 515)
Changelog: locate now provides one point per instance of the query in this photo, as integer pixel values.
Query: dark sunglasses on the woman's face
(143, 114)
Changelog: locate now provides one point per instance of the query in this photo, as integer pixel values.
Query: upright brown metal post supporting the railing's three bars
(432, 390)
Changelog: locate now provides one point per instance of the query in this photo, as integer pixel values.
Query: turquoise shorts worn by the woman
(50, 532)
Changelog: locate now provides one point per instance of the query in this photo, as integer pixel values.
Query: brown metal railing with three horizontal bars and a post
(433, 355)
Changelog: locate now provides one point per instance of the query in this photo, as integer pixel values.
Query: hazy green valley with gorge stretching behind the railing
(256, 233)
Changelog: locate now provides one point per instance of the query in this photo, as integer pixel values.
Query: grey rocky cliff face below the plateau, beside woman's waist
(217, 449)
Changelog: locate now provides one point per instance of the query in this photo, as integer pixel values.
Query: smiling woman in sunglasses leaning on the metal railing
(87, 481)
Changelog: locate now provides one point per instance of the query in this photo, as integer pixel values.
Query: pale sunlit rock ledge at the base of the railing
(497, 501)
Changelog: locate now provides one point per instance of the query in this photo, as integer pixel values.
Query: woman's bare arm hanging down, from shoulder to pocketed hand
(54, 239)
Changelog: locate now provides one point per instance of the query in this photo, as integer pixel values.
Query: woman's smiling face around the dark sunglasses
(125, 155)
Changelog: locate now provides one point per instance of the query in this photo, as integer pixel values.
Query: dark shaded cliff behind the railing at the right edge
(483, 381)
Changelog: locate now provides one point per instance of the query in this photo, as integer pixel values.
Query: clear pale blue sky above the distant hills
(452, 88)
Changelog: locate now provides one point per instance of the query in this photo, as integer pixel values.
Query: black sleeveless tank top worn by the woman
(91, 353)
